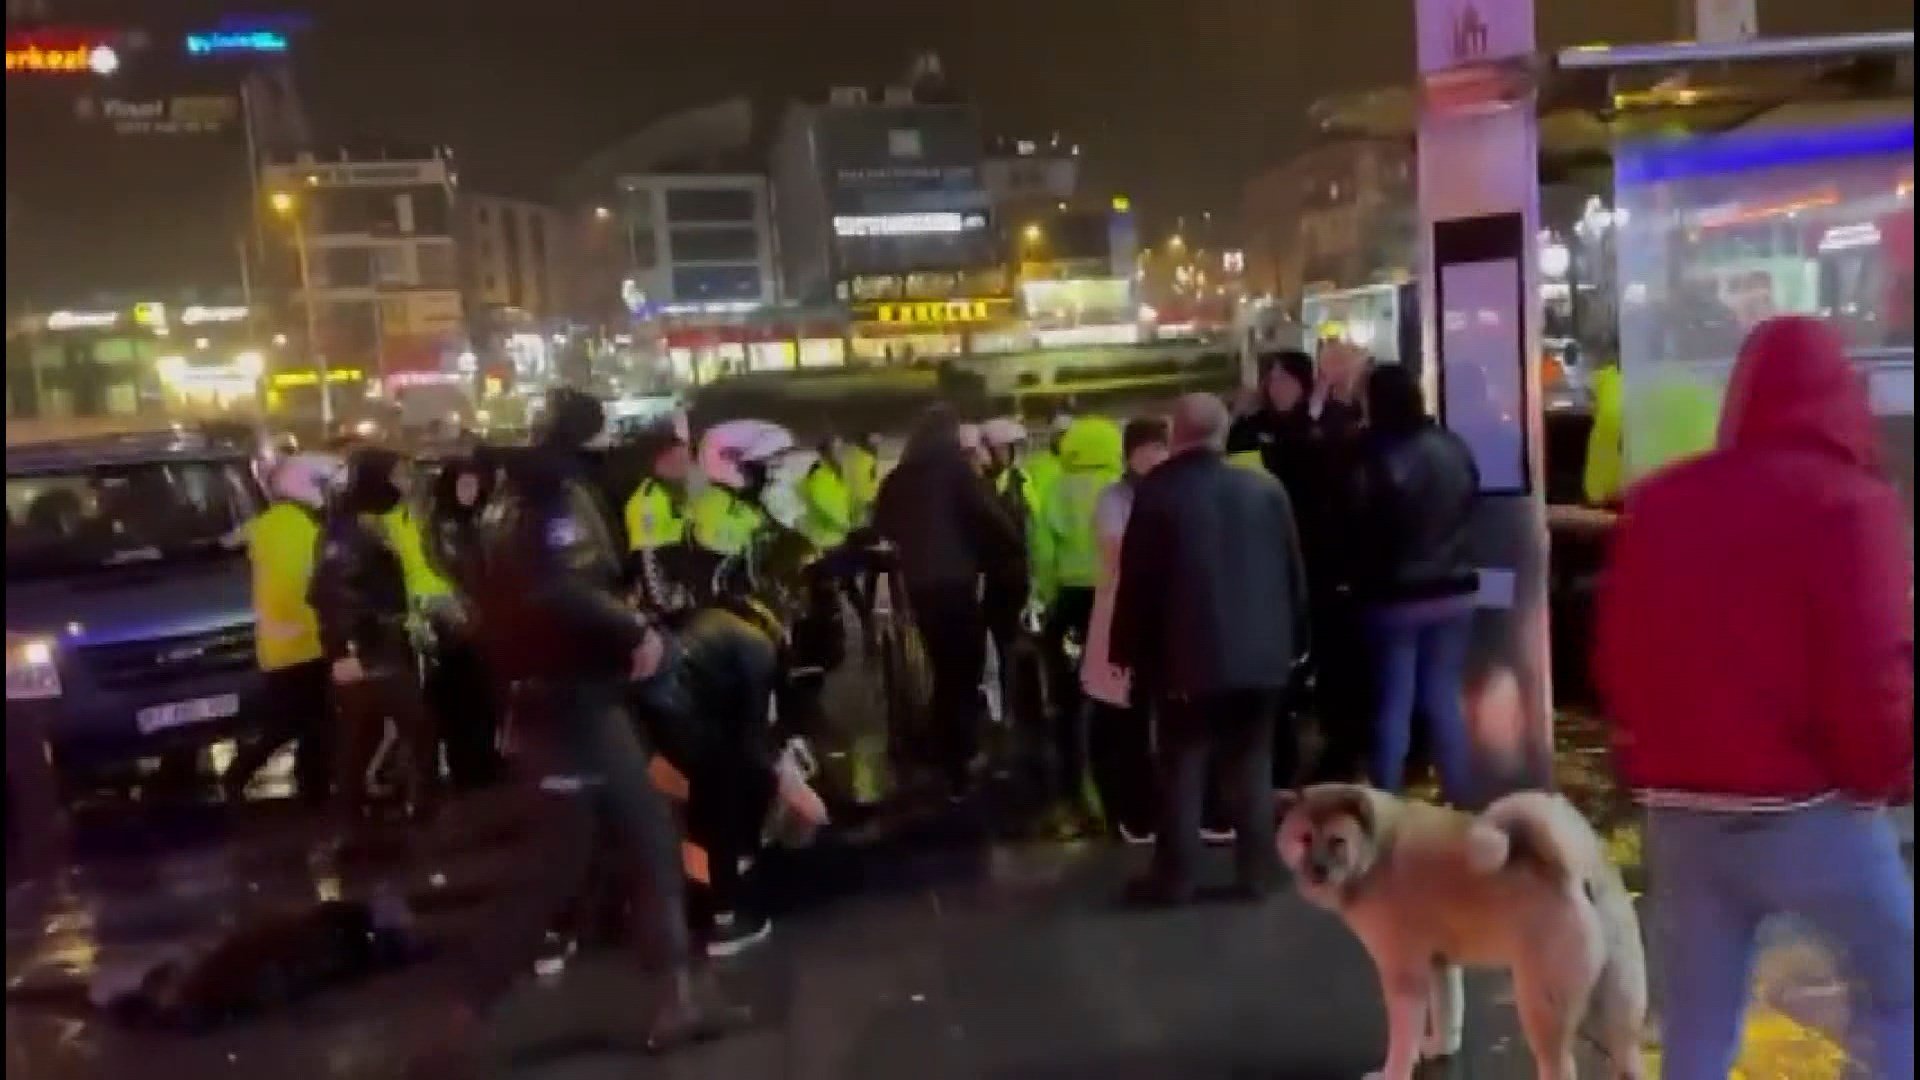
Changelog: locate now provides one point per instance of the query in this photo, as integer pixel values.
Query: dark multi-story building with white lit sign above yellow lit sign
(882, 207)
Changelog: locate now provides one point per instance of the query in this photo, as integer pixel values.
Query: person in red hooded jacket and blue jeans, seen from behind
(1756, 654)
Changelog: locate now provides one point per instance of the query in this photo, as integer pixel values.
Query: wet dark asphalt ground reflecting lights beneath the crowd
(934, 952)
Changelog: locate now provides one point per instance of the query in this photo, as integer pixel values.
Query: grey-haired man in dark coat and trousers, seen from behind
(1212, 620)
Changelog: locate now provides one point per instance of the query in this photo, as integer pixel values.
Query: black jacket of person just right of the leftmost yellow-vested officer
(358, 593)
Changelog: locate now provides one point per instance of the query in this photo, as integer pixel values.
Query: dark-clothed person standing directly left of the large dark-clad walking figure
(458, 683)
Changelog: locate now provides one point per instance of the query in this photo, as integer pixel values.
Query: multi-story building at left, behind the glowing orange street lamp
(381, 260)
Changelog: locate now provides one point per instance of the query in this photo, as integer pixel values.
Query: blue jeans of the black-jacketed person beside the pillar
(1420, 662)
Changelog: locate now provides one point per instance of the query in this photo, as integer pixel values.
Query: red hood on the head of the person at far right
(1794, 385)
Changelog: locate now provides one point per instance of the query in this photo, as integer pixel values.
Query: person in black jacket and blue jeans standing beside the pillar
(1412, 503)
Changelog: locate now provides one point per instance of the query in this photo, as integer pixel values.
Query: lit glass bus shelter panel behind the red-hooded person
(1717, 233)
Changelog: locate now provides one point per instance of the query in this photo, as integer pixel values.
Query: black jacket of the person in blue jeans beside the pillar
(1412, 506)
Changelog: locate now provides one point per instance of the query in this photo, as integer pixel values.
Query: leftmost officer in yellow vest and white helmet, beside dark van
(287, 635)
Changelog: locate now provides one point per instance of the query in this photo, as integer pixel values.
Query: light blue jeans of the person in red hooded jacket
(1717, 875)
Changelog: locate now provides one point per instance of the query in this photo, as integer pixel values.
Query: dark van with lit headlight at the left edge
(128, 595)
